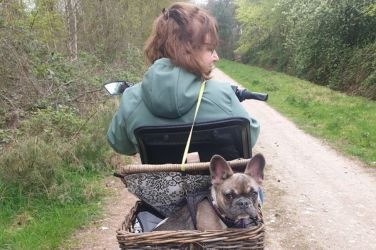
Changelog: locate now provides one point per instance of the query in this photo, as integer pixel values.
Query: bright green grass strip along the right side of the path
(347, 123)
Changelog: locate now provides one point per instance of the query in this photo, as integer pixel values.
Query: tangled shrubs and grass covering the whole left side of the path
(54, 112)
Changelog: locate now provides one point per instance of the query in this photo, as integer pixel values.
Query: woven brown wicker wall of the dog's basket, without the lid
(232, 238)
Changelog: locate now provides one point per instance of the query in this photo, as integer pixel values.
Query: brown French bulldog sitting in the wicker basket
(233, 200)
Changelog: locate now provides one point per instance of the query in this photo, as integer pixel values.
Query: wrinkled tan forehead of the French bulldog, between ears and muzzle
(241, 183)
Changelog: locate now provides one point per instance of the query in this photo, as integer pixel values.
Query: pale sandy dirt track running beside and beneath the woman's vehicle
(315, 198)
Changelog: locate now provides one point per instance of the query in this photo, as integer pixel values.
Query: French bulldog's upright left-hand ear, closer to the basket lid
(220, 170)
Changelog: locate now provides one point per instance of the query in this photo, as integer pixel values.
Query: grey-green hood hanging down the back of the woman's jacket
(169, 91)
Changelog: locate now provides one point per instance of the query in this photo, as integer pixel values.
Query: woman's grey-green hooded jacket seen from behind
(167, 95)
